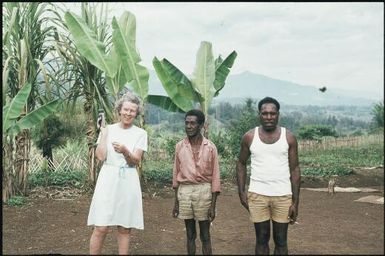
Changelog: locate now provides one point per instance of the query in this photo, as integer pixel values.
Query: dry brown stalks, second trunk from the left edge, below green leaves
(23, 147)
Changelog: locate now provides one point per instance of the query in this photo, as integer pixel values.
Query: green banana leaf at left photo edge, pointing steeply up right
(13, 110)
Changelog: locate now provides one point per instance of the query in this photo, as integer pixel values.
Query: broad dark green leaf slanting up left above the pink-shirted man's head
(176, 84)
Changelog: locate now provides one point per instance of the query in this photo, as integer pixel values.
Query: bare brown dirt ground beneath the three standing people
(327, 225)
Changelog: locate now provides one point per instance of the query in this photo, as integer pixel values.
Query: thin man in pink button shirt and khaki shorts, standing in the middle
(196, 181)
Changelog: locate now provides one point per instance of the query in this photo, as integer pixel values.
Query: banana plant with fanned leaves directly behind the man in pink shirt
(208, 79)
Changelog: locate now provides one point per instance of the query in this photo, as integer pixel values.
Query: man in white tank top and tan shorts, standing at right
(273, 192)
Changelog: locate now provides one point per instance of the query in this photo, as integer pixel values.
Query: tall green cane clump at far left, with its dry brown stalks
(27, 99)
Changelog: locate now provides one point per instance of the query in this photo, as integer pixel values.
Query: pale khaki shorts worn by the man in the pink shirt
(194, 201)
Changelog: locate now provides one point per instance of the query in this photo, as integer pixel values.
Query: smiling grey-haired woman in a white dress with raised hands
(117, 199)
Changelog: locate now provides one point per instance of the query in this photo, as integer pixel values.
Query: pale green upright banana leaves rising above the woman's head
(120, 64)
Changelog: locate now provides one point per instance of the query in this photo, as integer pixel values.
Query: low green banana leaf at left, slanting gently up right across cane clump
(35, 117)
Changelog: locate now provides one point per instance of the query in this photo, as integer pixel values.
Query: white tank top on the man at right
(270, 173)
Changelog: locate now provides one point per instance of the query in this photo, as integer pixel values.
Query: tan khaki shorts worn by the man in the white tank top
(263, 208)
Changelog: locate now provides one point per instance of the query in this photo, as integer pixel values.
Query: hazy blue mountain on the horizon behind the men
(256, 86)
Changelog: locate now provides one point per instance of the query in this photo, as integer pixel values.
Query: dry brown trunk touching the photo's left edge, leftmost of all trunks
(8, 170)
